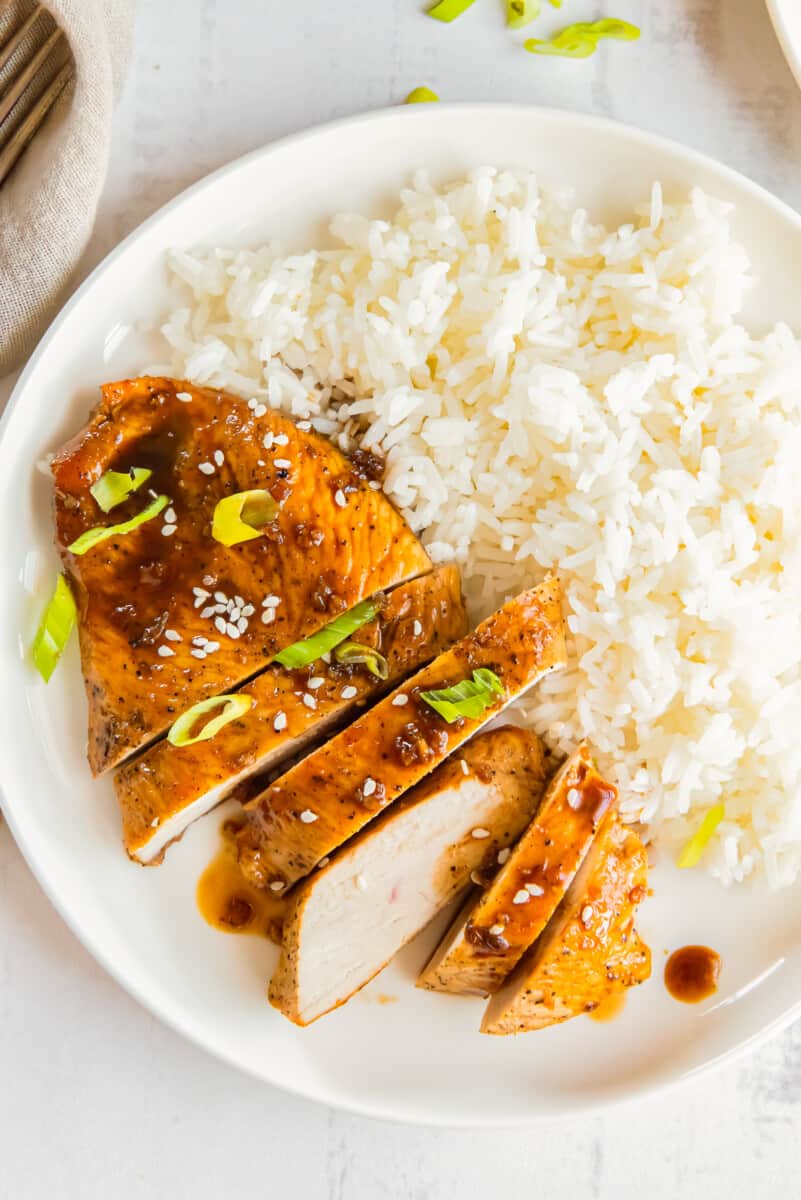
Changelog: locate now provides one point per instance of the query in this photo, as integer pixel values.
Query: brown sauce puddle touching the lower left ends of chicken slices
(227, 901)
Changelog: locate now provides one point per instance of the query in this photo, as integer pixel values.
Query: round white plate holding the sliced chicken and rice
(420, 1058)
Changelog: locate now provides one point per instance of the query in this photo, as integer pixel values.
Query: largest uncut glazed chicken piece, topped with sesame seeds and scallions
(146, 598)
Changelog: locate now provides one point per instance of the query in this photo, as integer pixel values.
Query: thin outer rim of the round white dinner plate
(180, 1022)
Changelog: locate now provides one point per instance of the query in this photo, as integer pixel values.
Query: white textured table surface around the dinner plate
(97, 1097)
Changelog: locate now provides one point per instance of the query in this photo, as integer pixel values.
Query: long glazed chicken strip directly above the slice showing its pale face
(328, 797)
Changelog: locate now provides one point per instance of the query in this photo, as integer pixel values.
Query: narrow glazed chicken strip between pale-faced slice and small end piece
(491, 935)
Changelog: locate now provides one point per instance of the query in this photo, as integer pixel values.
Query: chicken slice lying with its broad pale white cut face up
(354, 915)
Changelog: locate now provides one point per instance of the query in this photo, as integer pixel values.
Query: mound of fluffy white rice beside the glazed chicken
(552, 395)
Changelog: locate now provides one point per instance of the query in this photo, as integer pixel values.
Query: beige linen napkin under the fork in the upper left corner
(49, 203)
